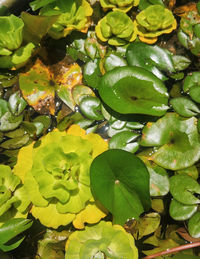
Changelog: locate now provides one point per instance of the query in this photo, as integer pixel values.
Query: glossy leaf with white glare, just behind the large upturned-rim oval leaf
(152, 58)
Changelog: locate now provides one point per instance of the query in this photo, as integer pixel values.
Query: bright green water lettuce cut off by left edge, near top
(12, 53)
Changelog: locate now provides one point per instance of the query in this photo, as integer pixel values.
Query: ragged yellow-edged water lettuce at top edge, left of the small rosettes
(72, 15)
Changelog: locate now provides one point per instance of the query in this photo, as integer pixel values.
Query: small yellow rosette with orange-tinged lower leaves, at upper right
(154, 21)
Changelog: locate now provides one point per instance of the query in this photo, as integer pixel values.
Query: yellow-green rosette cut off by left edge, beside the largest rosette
(13, 197)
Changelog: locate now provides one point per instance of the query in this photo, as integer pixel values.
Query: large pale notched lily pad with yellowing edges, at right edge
(176, 139)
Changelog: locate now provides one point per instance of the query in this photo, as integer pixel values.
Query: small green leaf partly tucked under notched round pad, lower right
(180, 211)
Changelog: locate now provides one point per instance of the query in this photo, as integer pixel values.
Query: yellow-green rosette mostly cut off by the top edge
(121, 5)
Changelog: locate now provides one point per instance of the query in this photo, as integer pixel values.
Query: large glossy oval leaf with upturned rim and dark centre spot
(134, 90)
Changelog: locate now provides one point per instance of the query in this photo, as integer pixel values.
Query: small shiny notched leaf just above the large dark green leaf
(125, 140)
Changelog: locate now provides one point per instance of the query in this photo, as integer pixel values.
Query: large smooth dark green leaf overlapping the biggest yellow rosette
(120, 181)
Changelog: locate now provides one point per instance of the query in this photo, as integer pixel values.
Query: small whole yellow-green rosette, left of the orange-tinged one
(117, 28)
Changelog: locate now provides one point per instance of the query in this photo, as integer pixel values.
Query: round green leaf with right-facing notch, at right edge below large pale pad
(183, 188)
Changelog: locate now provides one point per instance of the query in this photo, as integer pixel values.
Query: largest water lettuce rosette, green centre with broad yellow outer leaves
(55, 172)
